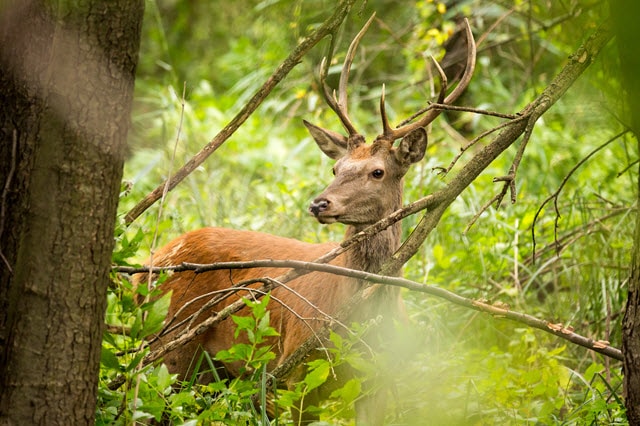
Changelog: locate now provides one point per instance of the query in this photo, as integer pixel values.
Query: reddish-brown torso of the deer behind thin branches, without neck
(295, 309)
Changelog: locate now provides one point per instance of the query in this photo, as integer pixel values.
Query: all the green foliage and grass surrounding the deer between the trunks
(458, 367)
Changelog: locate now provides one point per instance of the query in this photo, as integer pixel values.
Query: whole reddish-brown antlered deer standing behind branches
(367, 187)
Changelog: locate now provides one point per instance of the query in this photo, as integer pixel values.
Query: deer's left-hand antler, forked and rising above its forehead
(339, 105)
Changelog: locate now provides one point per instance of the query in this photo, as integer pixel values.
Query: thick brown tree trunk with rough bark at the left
(66, 85)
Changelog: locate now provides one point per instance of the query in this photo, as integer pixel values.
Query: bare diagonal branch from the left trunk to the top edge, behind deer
(328, 27)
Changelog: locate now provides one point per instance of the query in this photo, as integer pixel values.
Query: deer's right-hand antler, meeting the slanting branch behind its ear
(393, 134)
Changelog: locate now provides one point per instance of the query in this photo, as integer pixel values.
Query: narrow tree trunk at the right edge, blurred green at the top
(625, 13)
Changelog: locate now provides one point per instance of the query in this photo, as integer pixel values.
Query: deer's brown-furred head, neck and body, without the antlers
(358, 197)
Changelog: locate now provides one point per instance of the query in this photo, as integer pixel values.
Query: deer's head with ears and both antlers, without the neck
(368, 177)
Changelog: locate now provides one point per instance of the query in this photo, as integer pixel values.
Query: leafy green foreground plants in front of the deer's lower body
(151, 393)
